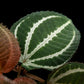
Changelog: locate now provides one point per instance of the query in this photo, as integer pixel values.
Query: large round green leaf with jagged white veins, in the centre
(47, 39)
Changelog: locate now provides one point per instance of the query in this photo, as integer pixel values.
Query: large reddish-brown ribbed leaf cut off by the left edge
(9, 50)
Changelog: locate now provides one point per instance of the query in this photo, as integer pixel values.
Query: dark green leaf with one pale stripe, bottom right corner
(71, 73)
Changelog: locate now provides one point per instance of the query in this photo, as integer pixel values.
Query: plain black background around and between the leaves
(10, 13)
